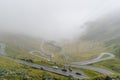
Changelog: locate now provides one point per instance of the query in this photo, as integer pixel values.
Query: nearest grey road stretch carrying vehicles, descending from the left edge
(45, 68)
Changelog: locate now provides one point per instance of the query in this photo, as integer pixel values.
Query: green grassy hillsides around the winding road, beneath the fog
(101, 35)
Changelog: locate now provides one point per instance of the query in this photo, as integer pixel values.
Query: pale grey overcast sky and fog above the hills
(52, 19)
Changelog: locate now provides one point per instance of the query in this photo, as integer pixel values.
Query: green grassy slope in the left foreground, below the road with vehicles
(10, 70)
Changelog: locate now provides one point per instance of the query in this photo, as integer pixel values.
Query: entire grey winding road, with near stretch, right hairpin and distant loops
(59, 71)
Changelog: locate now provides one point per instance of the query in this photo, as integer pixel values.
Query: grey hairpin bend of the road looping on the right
(84, 64)
